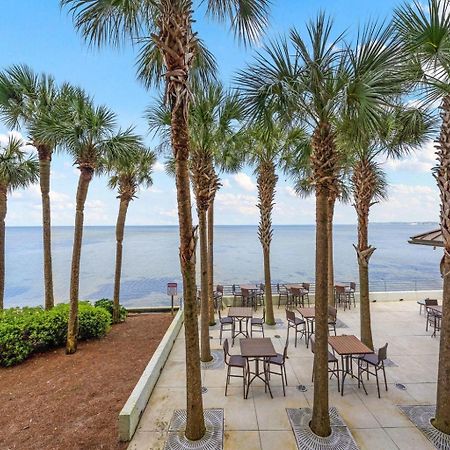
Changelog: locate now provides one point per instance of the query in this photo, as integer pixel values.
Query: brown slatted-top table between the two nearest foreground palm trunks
(257, 349)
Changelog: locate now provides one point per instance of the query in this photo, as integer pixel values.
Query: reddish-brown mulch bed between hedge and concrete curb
(55, 401)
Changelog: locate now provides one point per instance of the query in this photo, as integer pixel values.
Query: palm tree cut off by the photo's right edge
(424, 32)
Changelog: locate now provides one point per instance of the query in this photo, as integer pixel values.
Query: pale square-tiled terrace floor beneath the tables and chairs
(262, 423)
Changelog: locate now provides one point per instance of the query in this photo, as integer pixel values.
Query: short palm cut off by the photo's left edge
(17, 171)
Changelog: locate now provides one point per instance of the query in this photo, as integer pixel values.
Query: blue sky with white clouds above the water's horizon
(38, 33)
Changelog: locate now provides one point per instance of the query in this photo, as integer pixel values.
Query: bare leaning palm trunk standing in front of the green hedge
(82, 191)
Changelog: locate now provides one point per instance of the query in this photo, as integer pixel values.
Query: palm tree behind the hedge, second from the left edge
(24, 99)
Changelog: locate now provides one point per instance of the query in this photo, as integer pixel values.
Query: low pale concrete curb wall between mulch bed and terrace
(131, 412)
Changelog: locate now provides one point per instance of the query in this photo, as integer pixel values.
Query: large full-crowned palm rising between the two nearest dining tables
(313, 80)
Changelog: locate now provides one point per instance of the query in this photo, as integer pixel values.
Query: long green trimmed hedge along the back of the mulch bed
(24, 331)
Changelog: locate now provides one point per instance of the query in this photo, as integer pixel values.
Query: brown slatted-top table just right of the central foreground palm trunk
(348, 346)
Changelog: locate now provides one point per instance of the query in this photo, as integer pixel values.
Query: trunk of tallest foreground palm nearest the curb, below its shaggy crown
(195, 424)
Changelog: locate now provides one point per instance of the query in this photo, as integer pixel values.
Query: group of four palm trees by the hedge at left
(65, 118)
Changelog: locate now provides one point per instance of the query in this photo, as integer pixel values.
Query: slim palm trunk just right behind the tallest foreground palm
(205, 348)
